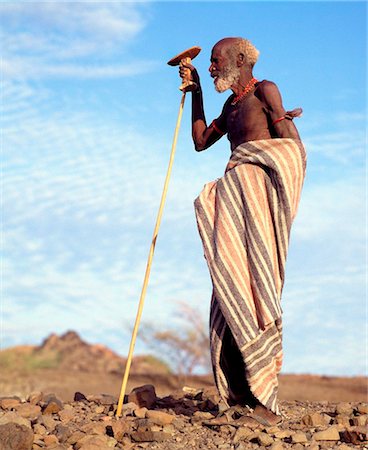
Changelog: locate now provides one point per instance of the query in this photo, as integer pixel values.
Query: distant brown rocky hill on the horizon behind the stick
(70, 352)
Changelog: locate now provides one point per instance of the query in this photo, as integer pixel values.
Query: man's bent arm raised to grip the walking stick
(203, 136)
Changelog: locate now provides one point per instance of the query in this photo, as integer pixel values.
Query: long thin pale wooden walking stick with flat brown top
(187, 85)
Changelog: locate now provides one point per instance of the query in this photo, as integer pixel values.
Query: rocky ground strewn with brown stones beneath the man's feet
(191, 418)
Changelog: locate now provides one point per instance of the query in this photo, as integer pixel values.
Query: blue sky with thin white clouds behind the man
(89, 108)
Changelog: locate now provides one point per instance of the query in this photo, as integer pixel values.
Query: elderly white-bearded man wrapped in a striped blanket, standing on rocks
(244, 220)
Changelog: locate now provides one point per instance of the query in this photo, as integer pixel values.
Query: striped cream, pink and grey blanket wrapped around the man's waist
(244, 220)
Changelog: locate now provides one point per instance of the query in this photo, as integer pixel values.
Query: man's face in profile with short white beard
(225, 73)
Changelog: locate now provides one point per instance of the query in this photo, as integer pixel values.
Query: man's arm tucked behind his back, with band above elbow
(280, 118)
